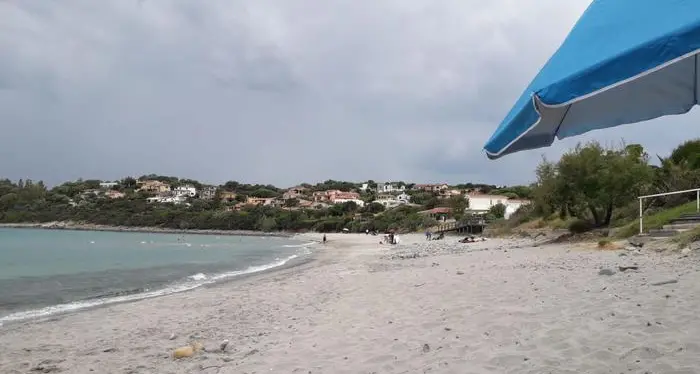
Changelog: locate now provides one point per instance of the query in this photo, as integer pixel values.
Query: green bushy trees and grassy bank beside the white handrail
(595, 187)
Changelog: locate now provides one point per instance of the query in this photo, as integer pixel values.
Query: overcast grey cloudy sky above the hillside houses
(278, 91)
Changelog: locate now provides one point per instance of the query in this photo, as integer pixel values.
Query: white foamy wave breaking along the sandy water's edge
(191, 282)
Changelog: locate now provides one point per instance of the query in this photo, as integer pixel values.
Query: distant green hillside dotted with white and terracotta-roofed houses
(171, 202)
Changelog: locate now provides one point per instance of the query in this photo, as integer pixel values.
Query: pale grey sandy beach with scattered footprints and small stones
(498, 306)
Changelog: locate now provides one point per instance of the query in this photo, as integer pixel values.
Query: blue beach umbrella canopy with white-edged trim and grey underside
(624, 61)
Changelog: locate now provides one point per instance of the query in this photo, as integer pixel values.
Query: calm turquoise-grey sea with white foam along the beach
(46, 272)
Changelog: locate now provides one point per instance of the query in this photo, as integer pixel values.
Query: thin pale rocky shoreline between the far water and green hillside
(151, 230)
